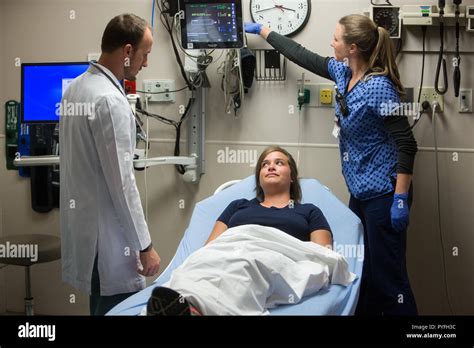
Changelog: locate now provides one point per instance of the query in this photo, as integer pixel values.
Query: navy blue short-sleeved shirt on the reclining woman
(298, 221)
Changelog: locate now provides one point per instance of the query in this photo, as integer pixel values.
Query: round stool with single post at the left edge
(48, 249)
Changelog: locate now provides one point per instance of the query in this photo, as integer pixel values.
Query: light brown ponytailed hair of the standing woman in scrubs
(374, 45)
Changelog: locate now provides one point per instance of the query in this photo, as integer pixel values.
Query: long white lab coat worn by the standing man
(100, 207)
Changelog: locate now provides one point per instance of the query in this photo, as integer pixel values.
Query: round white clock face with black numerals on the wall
(286, 17)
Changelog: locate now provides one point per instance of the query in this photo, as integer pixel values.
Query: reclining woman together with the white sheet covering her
(274, 251)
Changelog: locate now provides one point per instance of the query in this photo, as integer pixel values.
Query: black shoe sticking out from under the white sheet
(166, 301)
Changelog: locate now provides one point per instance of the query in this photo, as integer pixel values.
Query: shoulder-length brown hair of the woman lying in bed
(295, 189)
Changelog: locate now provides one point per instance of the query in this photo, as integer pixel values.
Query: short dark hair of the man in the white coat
(123, 29)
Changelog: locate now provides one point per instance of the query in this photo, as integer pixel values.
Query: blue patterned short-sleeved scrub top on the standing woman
(368, 151)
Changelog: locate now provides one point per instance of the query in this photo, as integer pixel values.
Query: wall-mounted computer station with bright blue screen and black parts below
(42, 89)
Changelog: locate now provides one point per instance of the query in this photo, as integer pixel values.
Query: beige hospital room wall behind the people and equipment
(44, 30)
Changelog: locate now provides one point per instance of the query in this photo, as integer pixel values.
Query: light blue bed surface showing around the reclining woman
(348, 240)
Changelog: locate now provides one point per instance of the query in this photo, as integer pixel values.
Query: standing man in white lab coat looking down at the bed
(106, 246)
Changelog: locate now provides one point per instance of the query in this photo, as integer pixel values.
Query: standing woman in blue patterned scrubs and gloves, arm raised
(377, 150)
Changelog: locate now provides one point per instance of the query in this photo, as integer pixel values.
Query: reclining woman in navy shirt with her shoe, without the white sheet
(277, 205)
